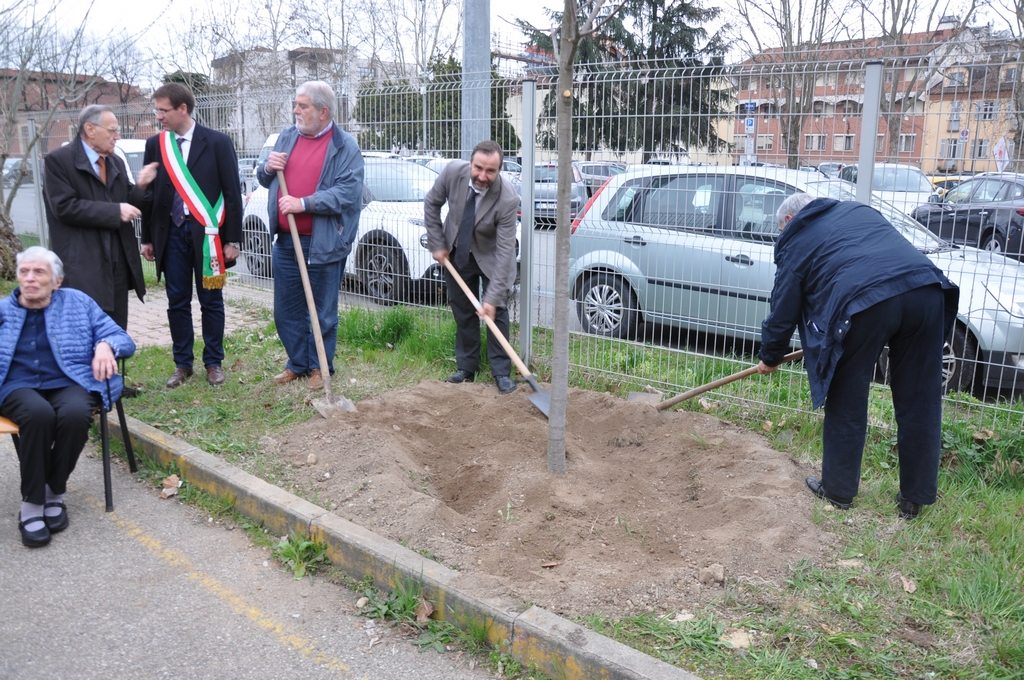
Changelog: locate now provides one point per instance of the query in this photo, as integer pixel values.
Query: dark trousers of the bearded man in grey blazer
(467, 338)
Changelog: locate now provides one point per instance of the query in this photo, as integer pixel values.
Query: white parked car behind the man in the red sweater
(390, 258)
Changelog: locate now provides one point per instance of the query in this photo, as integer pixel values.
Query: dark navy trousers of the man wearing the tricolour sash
(183, 267)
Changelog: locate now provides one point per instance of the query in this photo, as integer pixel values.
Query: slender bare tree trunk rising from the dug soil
(561, 349)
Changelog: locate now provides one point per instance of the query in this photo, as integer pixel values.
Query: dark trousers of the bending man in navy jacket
(912, 325)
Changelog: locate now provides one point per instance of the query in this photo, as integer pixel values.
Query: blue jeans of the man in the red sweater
(291, 314)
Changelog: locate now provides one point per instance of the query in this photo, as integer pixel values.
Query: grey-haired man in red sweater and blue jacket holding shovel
(323, 169)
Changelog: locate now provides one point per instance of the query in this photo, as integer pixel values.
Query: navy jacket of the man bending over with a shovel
(835, 260)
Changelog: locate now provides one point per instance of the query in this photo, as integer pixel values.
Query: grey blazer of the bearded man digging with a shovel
(494, 231)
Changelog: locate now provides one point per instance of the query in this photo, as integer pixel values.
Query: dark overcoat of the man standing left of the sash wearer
(84, 218)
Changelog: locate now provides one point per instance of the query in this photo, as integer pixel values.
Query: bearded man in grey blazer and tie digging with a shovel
(479, 234)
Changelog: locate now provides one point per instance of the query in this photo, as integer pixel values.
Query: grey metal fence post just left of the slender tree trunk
(527, 222)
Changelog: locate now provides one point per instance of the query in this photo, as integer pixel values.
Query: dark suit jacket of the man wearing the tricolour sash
(216, 169)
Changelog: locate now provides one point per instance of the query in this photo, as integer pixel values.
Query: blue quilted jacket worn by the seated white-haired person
(75, 325)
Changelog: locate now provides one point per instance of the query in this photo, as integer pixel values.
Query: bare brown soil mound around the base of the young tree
(651, 501)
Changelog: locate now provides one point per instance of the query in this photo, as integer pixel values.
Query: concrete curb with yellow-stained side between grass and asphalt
(561, 649)
